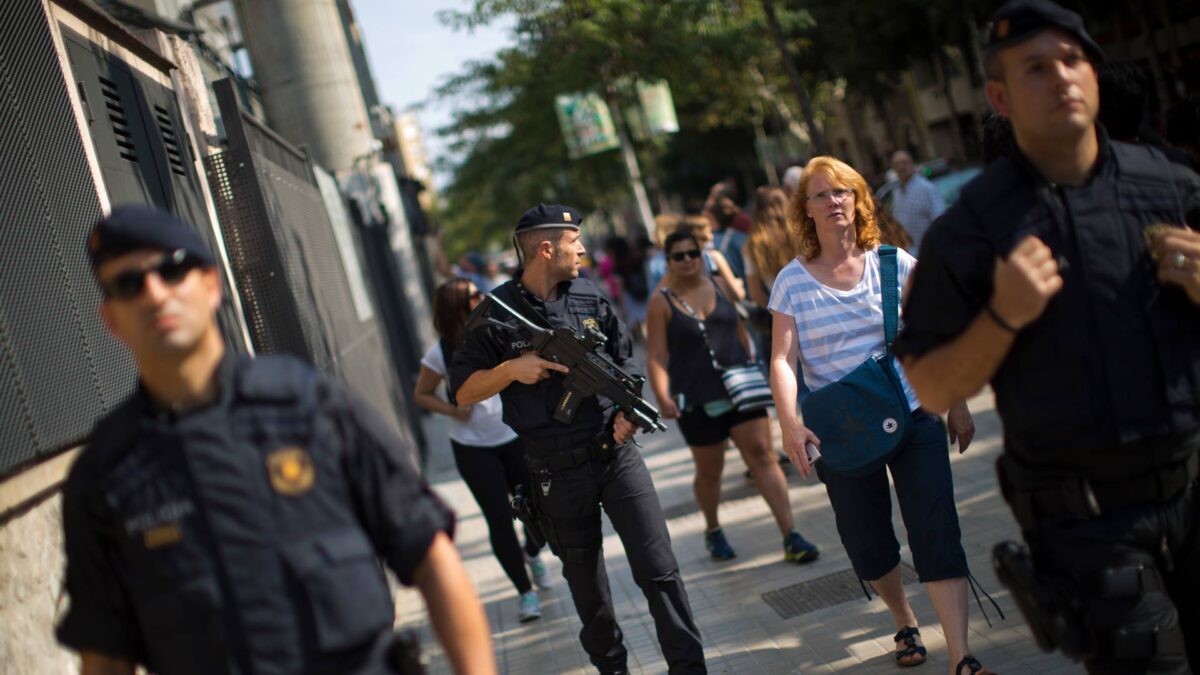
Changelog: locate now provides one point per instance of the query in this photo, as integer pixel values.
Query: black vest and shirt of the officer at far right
(1117, 356)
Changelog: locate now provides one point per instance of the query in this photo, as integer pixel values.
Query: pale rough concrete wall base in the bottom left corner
(31, 582)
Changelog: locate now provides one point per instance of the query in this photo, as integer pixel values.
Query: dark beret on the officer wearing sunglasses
(130, 228)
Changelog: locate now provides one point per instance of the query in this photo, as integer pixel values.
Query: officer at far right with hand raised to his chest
(1069, 277)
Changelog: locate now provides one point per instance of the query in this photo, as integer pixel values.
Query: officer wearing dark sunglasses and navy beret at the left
(229, 516)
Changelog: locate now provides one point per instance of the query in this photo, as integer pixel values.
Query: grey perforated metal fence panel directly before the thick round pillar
(295, 288)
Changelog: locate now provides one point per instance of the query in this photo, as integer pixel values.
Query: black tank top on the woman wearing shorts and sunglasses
(689, 363)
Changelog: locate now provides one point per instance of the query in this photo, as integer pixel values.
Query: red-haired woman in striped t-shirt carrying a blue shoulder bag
(830, 315)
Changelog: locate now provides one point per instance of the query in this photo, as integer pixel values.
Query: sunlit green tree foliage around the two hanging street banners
(507, 134)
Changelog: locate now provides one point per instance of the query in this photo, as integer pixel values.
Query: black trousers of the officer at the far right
(1133, 575)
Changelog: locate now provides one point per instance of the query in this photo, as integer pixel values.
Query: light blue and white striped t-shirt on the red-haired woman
(838, 330)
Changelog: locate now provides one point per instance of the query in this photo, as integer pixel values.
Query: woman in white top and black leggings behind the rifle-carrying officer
(487, 451)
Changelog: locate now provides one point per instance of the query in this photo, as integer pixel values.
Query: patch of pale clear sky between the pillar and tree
(411, 53)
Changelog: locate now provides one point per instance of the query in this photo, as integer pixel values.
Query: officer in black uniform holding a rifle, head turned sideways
(591, 463)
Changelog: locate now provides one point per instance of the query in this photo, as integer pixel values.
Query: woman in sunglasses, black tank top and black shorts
(691, 325)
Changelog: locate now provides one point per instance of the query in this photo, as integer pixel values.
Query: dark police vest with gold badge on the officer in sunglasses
(235, 534)
